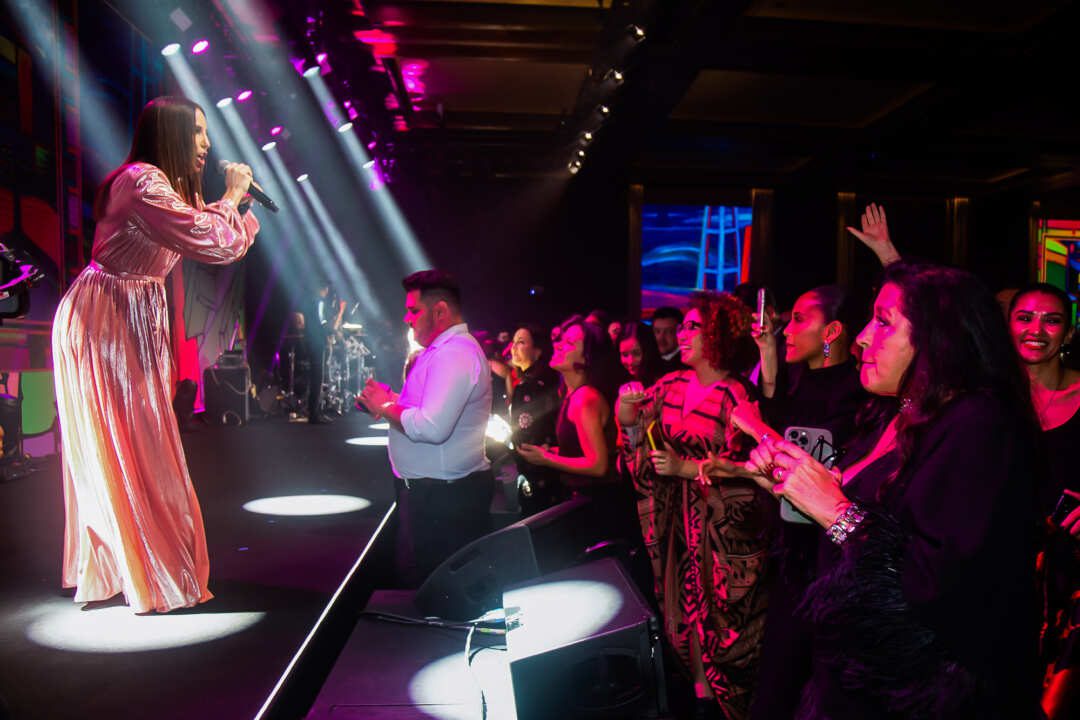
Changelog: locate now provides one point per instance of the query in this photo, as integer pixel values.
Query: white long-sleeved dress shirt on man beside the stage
(448, 401)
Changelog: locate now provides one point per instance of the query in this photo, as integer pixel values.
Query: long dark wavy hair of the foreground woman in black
(962, 346)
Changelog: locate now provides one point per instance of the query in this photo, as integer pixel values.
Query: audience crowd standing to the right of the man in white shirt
(917, 560)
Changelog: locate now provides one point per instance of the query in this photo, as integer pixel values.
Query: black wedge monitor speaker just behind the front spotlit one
(470, 582)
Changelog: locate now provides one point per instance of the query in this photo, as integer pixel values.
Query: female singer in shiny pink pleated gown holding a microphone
(133, 523)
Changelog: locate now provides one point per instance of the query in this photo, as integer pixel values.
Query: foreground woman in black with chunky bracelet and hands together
(931, 518)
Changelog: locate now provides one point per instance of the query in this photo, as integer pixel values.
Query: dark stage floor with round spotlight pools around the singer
(272, 575)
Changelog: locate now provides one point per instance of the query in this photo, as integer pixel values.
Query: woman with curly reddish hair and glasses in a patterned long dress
(707, 541)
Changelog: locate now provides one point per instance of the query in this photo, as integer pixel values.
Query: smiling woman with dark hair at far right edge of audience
(1041, 319)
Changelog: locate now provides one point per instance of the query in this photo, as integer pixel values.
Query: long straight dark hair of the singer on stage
(165, 138)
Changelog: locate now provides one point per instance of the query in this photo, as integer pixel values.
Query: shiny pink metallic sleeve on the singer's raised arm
(217, 235)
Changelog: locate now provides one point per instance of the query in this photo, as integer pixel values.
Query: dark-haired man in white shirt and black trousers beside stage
(438, 429)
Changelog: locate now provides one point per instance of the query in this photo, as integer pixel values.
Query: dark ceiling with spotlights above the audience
(963, 97)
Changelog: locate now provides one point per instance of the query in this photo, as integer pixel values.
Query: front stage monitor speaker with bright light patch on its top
(583, 643)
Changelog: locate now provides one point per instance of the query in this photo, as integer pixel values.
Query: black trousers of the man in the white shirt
(436, 519)
